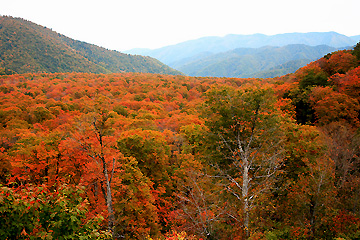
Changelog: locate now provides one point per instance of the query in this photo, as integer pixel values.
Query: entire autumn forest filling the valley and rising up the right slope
(150, 156)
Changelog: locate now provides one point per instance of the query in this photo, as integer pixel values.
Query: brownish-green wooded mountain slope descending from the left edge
(28, 47)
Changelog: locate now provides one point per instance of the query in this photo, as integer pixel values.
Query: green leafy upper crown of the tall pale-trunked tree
(240, 113)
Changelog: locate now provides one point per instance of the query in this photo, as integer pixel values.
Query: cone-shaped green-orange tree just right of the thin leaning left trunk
(136, 213)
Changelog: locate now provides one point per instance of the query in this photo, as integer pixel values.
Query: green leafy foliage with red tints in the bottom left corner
(37, 212)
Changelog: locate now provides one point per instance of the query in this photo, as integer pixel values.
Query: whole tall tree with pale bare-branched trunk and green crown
(246, 130)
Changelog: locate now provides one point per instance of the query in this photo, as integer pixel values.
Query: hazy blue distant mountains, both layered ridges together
(247, 55)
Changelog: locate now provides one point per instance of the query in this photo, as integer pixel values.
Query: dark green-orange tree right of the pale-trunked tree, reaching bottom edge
(305, 191)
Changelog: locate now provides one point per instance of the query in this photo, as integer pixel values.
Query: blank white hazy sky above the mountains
(126, 24)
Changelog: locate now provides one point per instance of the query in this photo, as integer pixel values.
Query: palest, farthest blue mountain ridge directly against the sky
(174, 53)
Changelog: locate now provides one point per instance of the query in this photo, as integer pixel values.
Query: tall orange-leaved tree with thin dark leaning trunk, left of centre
(94, 137)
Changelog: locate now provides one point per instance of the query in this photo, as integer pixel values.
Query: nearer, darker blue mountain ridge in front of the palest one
(256, 62)
